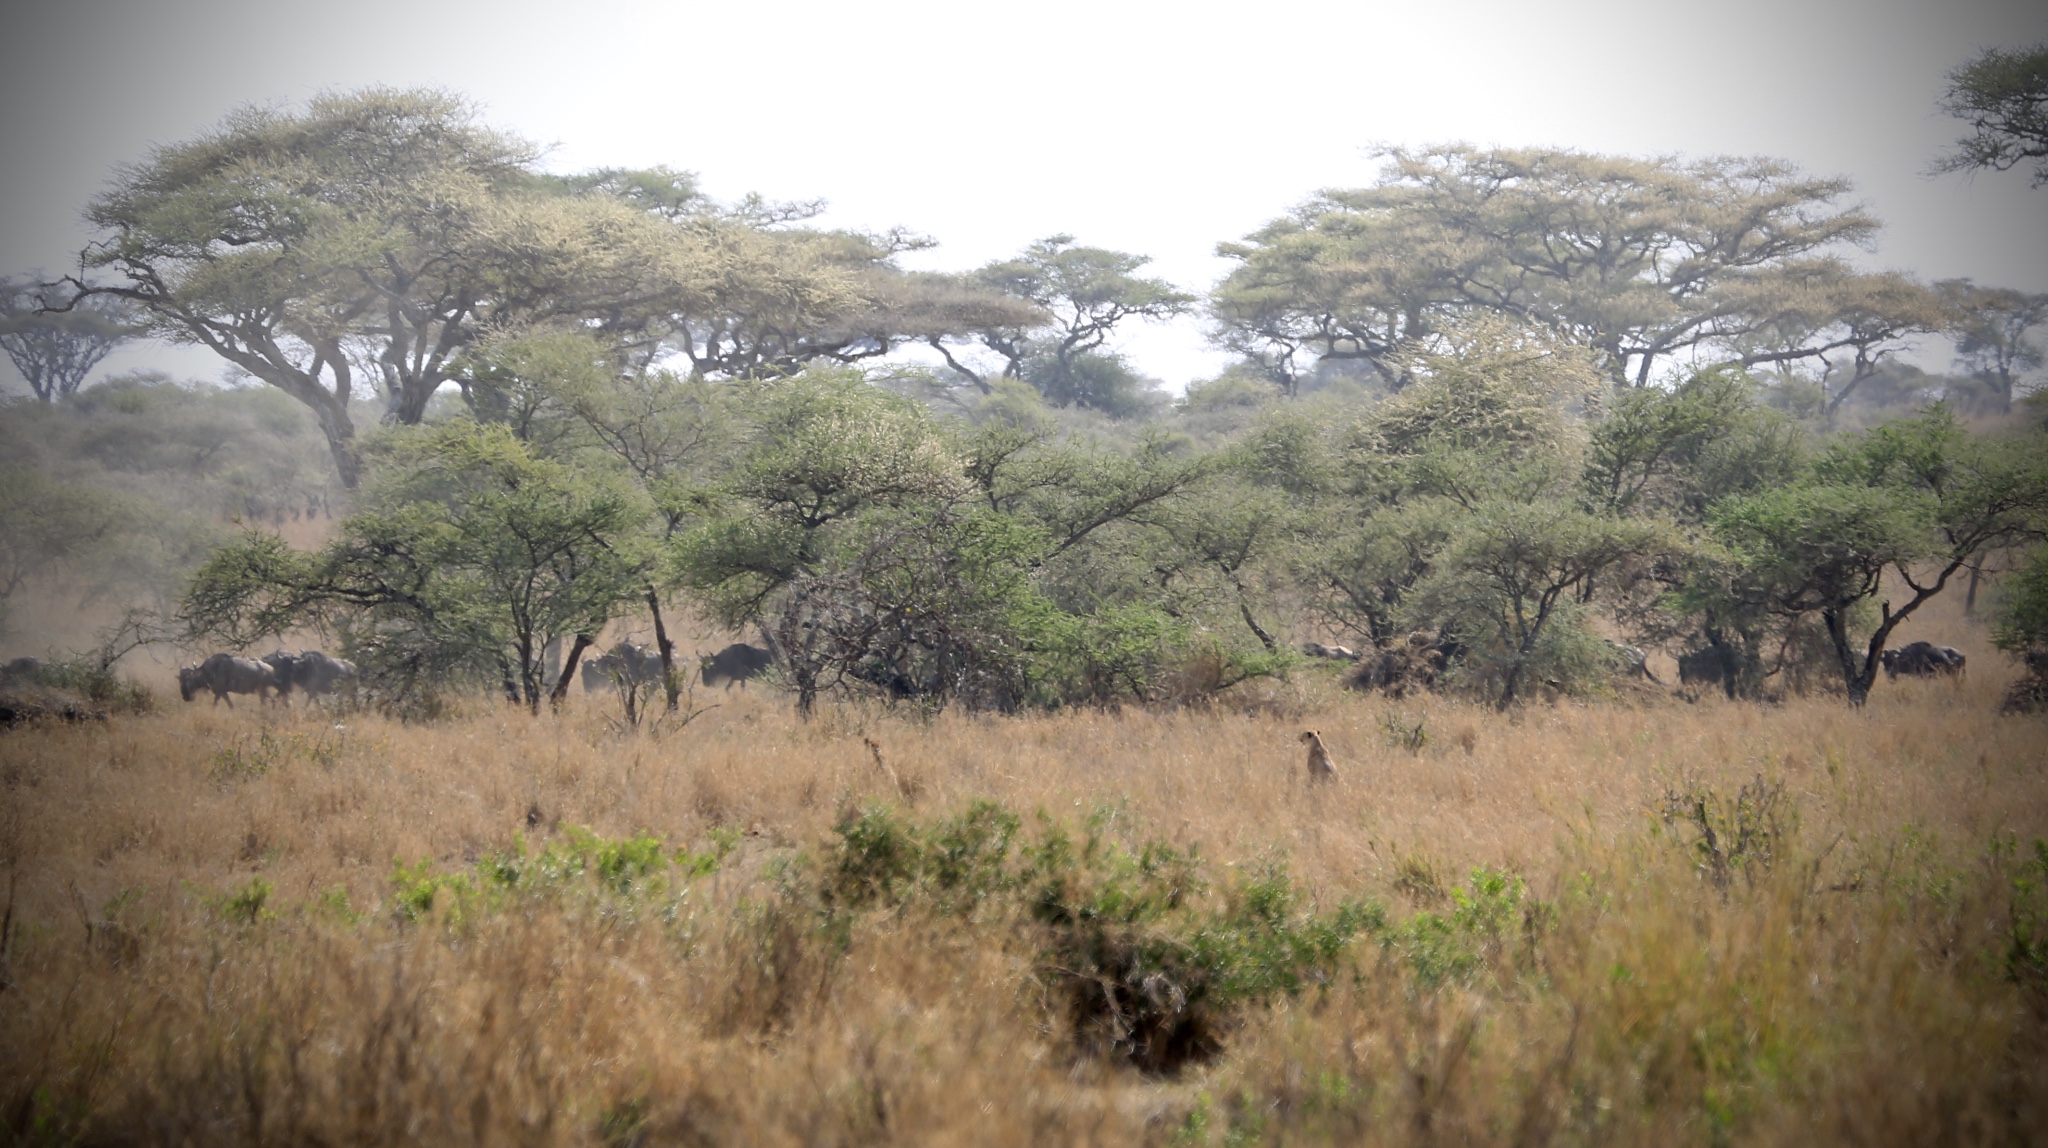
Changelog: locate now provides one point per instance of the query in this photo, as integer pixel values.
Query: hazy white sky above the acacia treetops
(1140, 126)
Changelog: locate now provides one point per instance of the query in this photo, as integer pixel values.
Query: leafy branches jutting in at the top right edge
(2004, 97)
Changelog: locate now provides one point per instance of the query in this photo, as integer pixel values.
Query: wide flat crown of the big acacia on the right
(1644, 261)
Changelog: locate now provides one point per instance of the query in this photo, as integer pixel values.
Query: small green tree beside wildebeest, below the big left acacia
(470, 558)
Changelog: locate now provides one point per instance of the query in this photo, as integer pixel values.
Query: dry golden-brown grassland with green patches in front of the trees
(321, 928)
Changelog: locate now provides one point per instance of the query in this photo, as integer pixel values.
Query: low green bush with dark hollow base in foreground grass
(1146, 963)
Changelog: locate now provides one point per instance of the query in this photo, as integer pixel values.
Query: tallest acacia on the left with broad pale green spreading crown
(366, 242)
